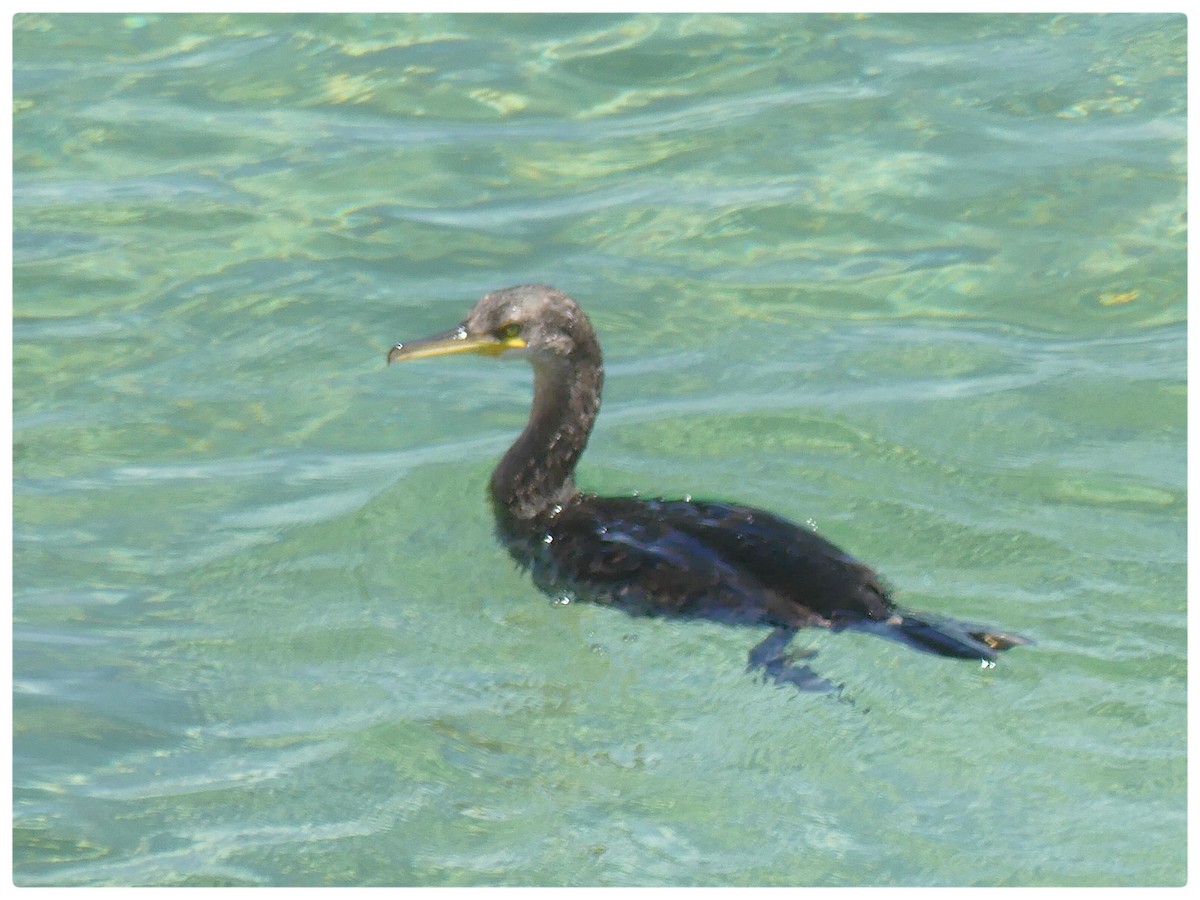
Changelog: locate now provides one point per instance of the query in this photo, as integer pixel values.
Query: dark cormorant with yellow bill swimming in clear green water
(683, 559)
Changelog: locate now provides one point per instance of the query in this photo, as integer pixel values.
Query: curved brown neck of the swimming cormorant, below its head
(537, 473)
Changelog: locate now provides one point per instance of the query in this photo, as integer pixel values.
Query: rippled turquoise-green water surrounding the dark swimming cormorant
(919, 281)
